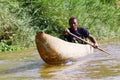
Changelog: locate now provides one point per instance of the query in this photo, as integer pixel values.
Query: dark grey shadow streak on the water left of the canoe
(24, 66)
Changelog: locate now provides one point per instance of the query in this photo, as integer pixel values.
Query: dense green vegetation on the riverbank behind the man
(21, 19)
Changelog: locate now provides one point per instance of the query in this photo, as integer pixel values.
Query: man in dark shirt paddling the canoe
(80, 32)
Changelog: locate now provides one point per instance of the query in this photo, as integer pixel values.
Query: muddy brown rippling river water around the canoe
(27, 65)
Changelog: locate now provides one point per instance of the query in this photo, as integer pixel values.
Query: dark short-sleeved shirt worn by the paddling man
(80, 32)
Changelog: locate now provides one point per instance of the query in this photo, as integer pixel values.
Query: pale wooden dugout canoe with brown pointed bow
(54, 50)
